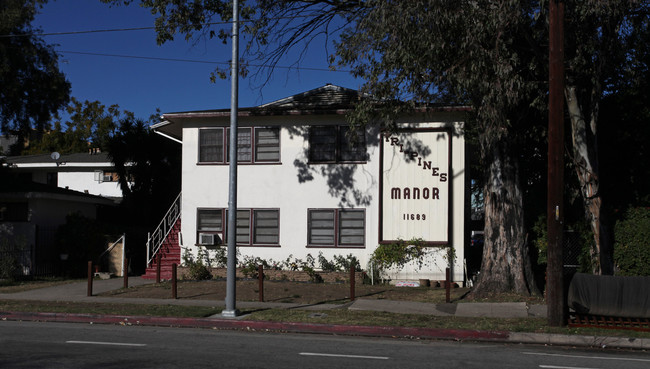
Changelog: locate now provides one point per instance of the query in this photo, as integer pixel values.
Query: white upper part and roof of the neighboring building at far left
(92, 173)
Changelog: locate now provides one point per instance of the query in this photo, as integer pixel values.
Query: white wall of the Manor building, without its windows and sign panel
(294, 186)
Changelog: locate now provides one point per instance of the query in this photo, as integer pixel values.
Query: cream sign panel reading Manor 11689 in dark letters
(415, 185)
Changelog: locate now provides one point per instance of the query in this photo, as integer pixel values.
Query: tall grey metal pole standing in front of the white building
(231, 275)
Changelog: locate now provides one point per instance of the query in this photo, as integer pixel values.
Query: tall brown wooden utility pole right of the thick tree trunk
(555, 199)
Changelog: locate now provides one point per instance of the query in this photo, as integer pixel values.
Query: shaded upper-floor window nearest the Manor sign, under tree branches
(332, 144)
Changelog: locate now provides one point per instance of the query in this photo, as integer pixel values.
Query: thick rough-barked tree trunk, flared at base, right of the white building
(506, 263)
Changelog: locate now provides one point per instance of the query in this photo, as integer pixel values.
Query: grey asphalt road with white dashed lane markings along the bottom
(65, 345)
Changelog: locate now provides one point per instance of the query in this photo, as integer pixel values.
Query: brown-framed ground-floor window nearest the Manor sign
(336, 227)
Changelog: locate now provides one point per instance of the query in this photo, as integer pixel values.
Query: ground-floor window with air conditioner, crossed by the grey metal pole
(254, 227)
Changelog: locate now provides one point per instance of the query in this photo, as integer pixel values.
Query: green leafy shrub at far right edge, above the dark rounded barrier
(632, 243)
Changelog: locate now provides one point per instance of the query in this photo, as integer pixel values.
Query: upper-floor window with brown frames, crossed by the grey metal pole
(254, 145)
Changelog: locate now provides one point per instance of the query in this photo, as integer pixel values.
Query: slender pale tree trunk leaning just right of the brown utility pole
(585, 157)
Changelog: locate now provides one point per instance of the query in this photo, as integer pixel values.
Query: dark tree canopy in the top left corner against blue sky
(32, 88)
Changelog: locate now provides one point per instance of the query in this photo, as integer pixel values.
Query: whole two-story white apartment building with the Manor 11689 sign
(304, 187)
